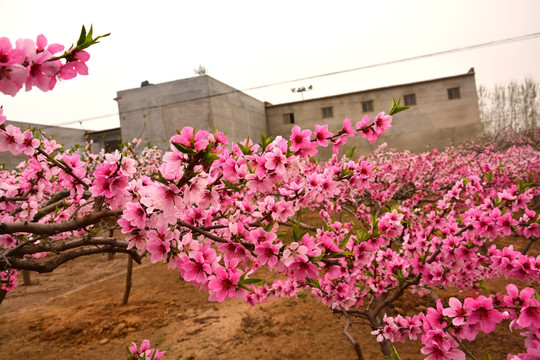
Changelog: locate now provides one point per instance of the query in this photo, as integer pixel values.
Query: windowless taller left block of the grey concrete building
(155, 112)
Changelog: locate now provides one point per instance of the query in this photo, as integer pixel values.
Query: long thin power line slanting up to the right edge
(391, 62)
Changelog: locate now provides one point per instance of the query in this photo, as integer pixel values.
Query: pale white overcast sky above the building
(252, 43)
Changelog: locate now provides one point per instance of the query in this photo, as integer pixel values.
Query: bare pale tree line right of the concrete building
(513, 106)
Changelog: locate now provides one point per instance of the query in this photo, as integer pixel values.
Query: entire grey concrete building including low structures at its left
(442, 112)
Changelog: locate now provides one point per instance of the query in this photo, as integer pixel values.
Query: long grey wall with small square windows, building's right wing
(435, 121)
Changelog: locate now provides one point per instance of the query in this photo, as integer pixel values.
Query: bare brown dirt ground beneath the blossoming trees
(75, 313)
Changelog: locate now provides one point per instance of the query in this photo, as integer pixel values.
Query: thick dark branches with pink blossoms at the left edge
(60, 213)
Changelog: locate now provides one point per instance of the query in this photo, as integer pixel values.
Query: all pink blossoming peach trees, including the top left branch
(212, 210)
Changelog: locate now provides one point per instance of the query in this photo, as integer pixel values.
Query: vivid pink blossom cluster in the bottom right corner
(440, 329)
